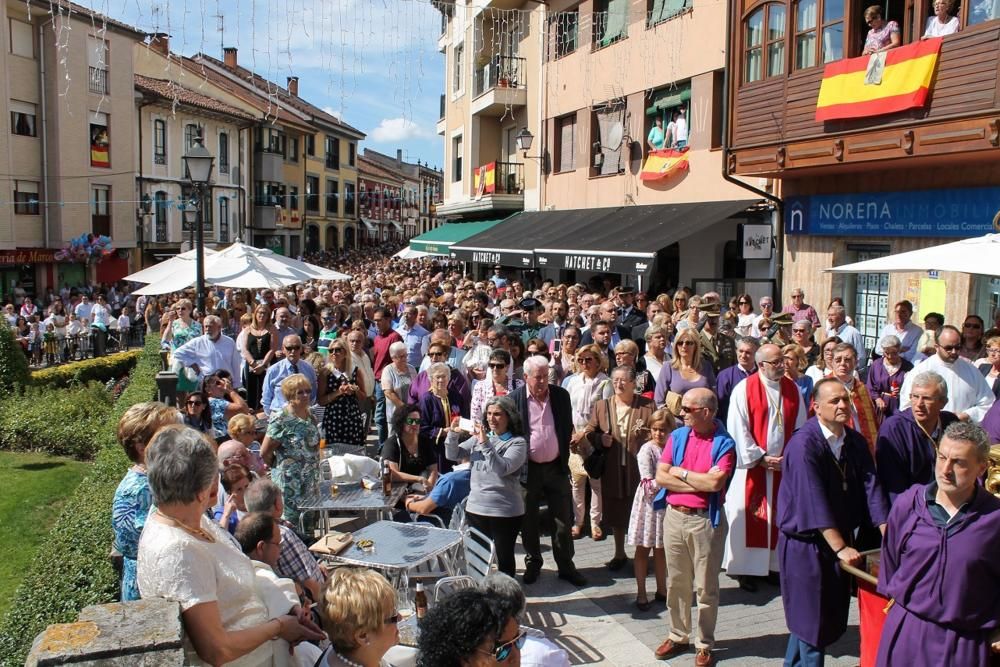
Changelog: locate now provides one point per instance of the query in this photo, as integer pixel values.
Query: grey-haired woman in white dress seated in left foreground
(184, 556)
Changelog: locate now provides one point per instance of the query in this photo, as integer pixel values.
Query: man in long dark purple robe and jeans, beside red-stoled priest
(828, 490)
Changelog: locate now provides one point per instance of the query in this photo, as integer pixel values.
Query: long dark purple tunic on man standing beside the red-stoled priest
(814, 590)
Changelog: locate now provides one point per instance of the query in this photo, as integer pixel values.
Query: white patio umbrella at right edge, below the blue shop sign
(980, 256)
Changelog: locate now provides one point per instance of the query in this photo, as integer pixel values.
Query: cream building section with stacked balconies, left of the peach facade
(493, 90)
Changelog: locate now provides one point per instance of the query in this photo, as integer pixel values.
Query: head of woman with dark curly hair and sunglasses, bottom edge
(470, 628)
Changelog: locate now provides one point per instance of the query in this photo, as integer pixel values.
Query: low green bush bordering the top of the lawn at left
(62, 422)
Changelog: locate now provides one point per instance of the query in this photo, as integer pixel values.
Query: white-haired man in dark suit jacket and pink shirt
(547, 416)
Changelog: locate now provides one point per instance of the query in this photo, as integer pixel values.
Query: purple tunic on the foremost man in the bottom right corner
(945, 583)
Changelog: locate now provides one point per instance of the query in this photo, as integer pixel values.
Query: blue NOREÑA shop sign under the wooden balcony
(959, 213)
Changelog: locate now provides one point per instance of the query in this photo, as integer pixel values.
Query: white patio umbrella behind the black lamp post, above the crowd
(246, 267)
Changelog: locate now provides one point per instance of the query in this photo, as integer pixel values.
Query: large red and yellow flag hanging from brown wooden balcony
(882, 83)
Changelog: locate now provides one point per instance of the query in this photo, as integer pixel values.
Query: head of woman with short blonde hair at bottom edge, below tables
(359, 614)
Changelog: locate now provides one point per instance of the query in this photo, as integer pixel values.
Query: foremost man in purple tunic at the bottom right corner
(939, 562)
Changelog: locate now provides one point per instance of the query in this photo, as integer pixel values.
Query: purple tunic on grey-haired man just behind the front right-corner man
(903, 454)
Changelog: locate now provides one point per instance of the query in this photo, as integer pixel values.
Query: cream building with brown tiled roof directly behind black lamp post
(172, 117)
